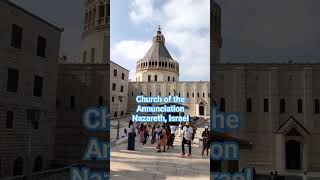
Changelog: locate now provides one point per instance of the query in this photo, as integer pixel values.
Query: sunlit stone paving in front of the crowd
(145, 163)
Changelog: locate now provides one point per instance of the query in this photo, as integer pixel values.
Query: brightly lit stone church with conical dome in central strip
(157, 73)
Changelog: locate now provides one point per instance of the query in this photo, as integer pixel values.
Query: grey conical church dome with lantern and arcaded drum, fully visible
(157, 64)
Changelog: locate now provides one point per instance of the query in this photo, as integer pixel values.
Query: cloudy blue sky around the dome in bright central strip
(185, 24)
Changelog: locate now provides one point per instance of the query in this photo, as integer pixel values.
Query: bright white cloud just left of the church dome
(127, 52)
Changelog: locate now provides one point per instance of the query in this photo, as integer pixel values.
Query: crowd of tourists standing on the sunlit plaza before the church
(163, 135)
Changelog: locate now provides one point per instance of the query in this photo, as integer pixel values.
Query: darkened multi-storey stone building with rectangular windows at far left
(29, 51)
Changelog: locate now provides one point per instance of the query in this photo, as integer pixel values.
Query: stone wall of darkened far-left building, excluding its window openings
(14, 142)
